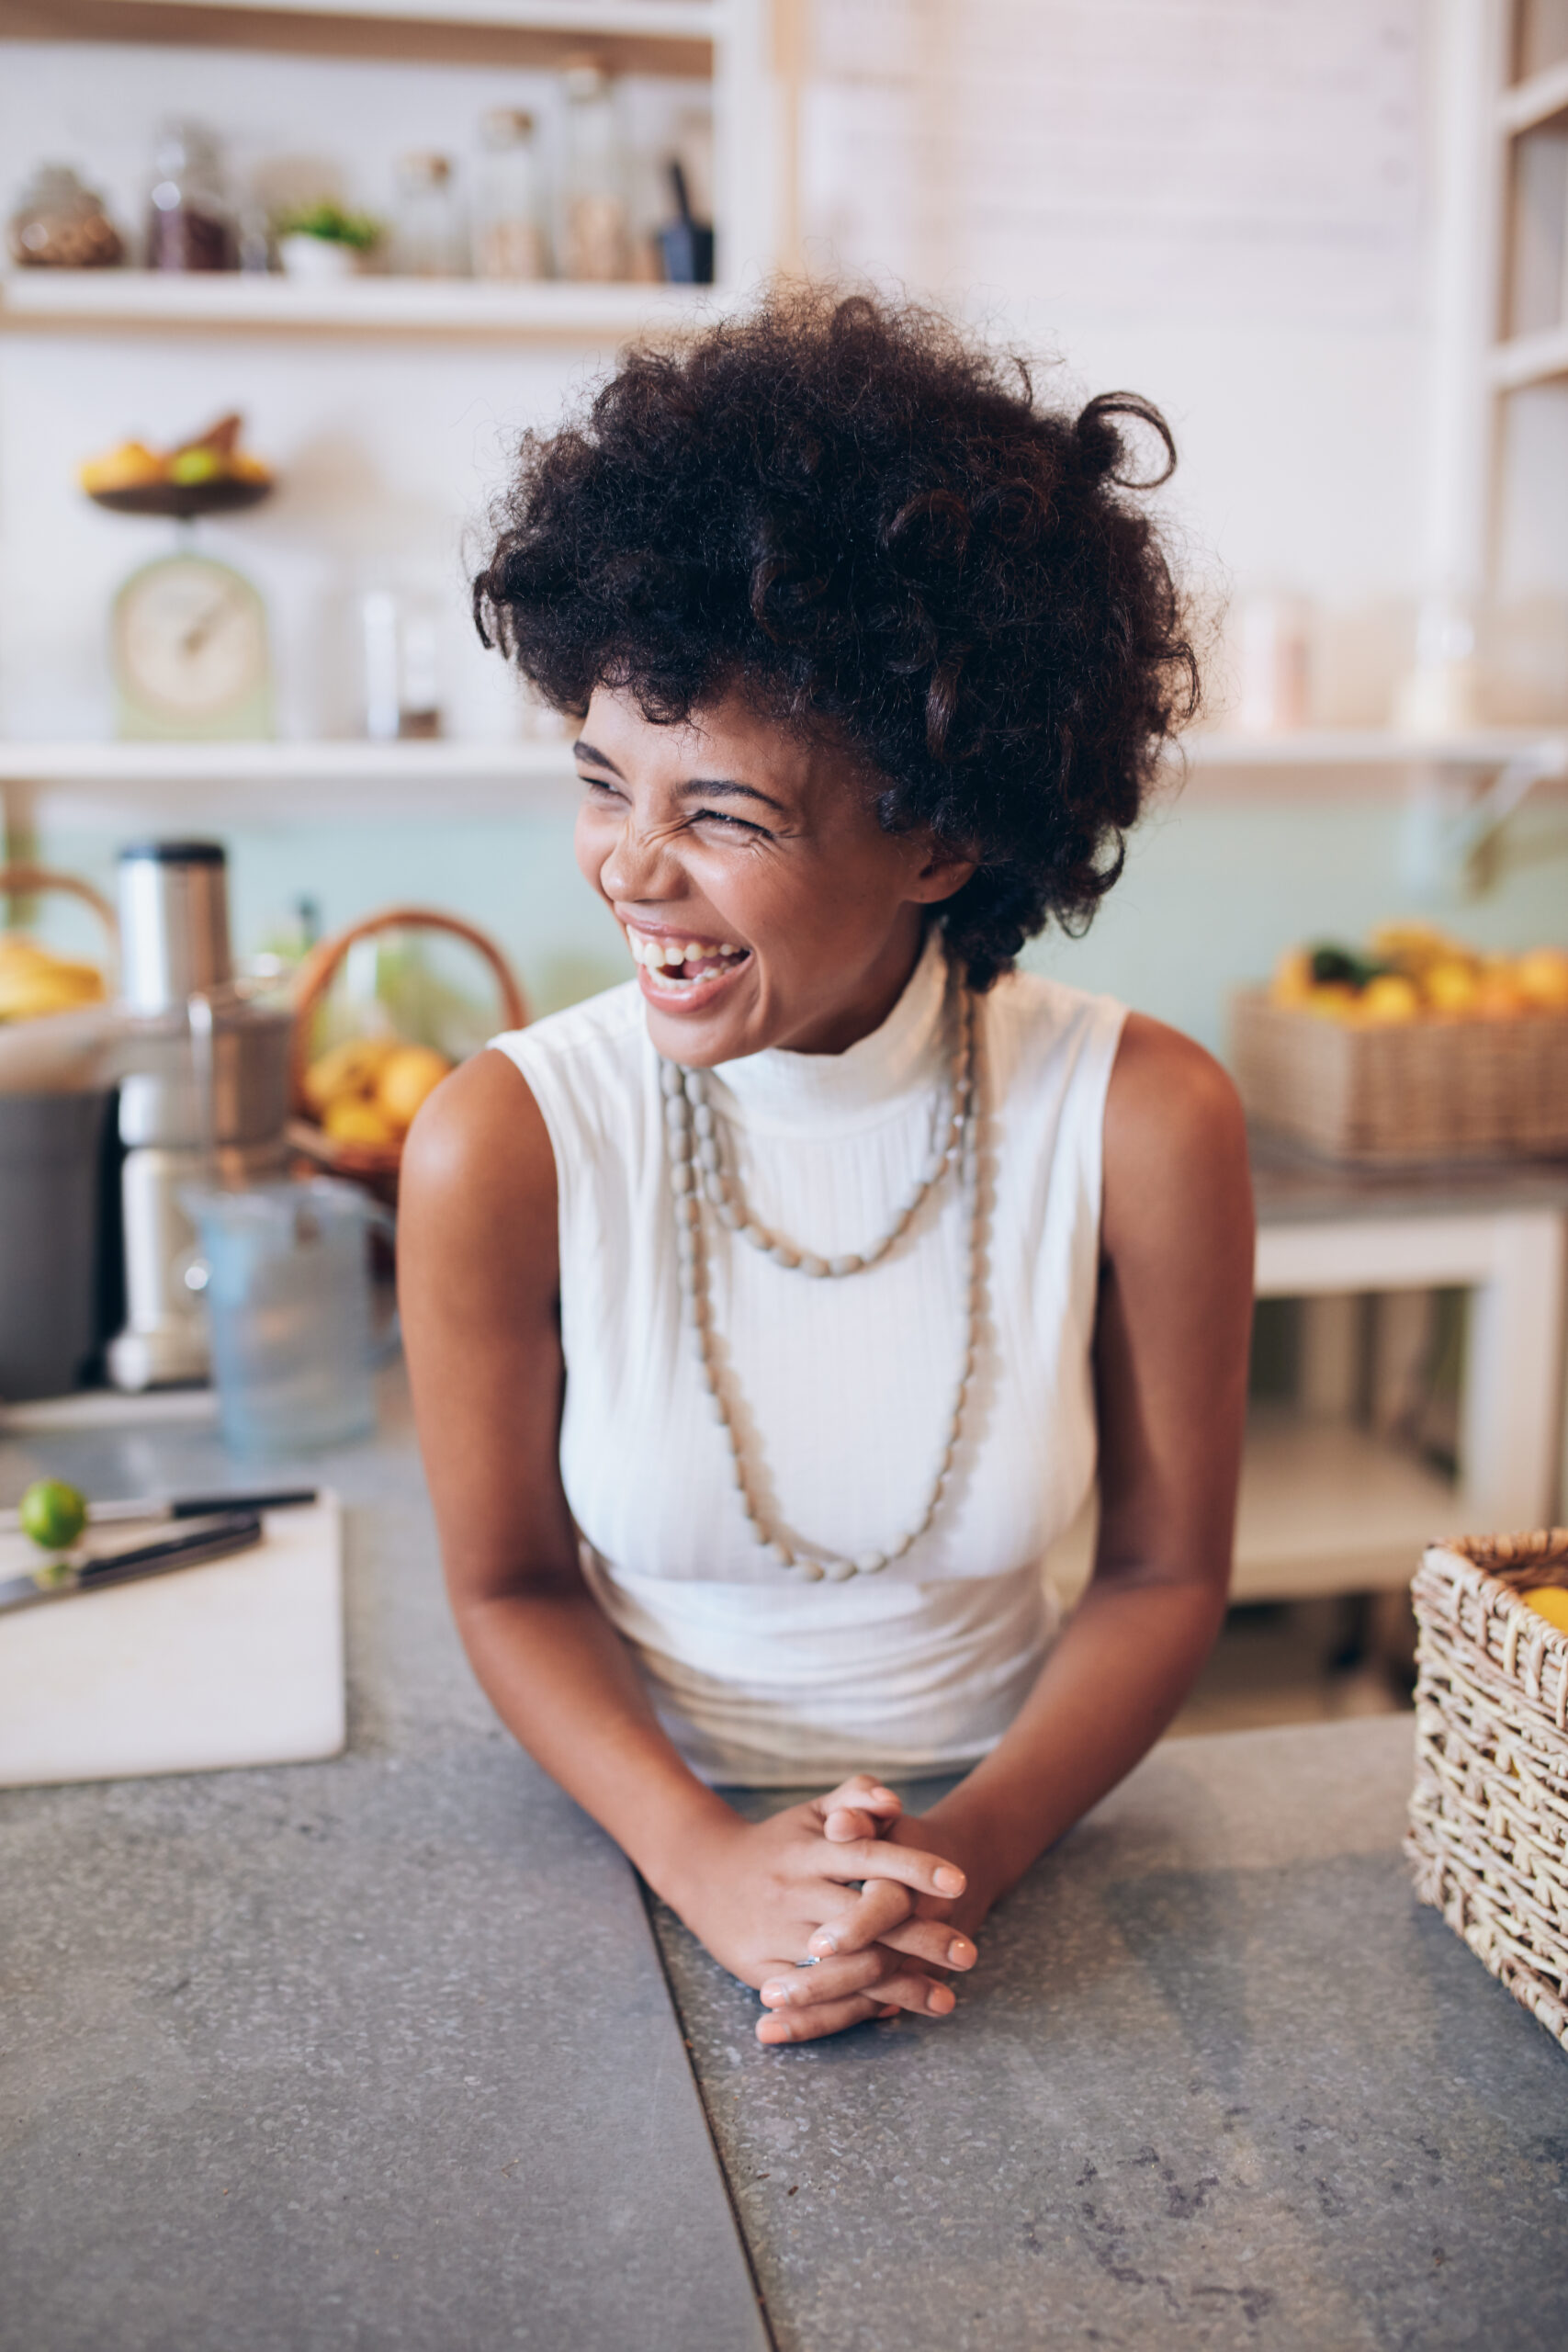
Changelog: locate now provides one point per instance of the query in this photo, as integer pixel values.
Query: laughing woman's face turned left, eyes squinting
(760, 855)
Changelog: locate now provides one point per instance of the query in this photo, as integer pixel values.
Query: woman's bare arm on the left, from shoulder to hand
(478, 1281)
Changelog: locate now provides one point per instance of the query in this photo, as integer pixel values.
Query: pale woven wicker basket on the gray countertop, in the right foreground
(1489, 1815)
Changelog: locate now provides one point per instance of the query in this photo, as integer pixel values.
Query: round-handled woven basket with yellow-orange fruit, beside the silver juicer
(359, 1097)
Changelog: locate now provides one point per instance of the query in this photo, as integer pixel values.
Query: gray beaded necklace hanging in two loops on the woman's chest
(697, 1172)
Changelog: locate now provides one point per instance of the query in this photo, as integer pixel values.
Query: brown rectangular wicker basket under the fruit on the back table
(1407, 1095)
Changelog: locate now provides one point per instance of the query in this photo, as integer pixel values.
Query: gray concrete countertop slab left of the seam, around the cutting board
(366, 2054)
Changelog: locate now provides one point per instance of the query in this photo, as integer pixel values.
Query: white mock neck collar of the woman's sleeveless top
(779, 1090)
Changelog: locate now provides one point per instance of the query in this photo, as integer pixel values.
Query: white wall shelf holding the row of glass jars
(445, 307)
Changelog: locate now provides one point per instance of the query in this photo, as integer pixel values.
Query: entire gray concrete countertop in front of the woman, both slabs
(380, 2054)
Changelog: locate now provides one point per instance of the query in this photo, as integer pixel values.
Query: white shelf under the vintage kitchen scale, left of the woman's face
(217, 784)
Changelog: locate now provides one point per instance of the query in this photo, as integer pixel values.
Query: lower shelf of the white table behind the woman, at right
(1329, 1509)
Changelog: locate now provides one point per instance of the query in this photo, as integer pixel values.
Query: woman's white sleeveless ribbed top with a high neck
(838, 1389)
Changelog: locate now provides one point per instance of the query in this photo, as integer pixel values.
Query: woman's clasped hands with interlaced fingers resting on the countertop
(876, 1902)
